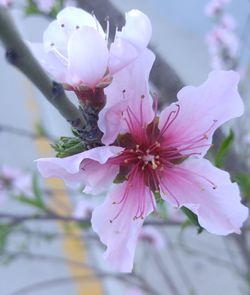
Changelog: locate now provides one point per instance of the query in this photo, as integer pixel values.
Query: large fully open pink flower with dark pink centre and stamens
(152, 153)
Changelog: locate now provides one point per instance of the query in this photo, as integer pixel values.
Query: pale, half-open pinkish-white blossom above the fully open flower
(75, 49)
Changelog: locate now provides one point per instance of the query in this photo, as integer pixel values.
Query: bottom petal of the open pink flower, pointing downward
(120, 236)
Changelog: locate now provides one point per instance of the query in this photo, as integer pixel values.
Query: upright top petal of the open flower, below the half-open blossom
(134, 80)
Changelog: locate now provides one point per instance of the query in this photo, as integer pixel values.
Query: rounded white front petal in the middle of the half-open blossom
(88, 56)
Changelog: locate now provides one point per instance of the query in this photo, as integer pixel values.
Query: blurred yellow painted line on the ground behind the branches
(74, 248)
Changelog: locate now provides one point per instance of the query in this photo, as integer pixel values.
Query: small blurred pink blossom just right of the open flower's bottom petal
(152, 236)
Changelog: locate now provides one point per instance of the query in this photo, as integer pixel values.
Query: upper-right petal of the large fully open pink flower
(202, 110)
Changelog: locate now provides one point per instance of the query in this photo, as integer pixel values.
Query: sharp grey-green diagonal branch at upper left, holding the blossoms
(18, 54)
